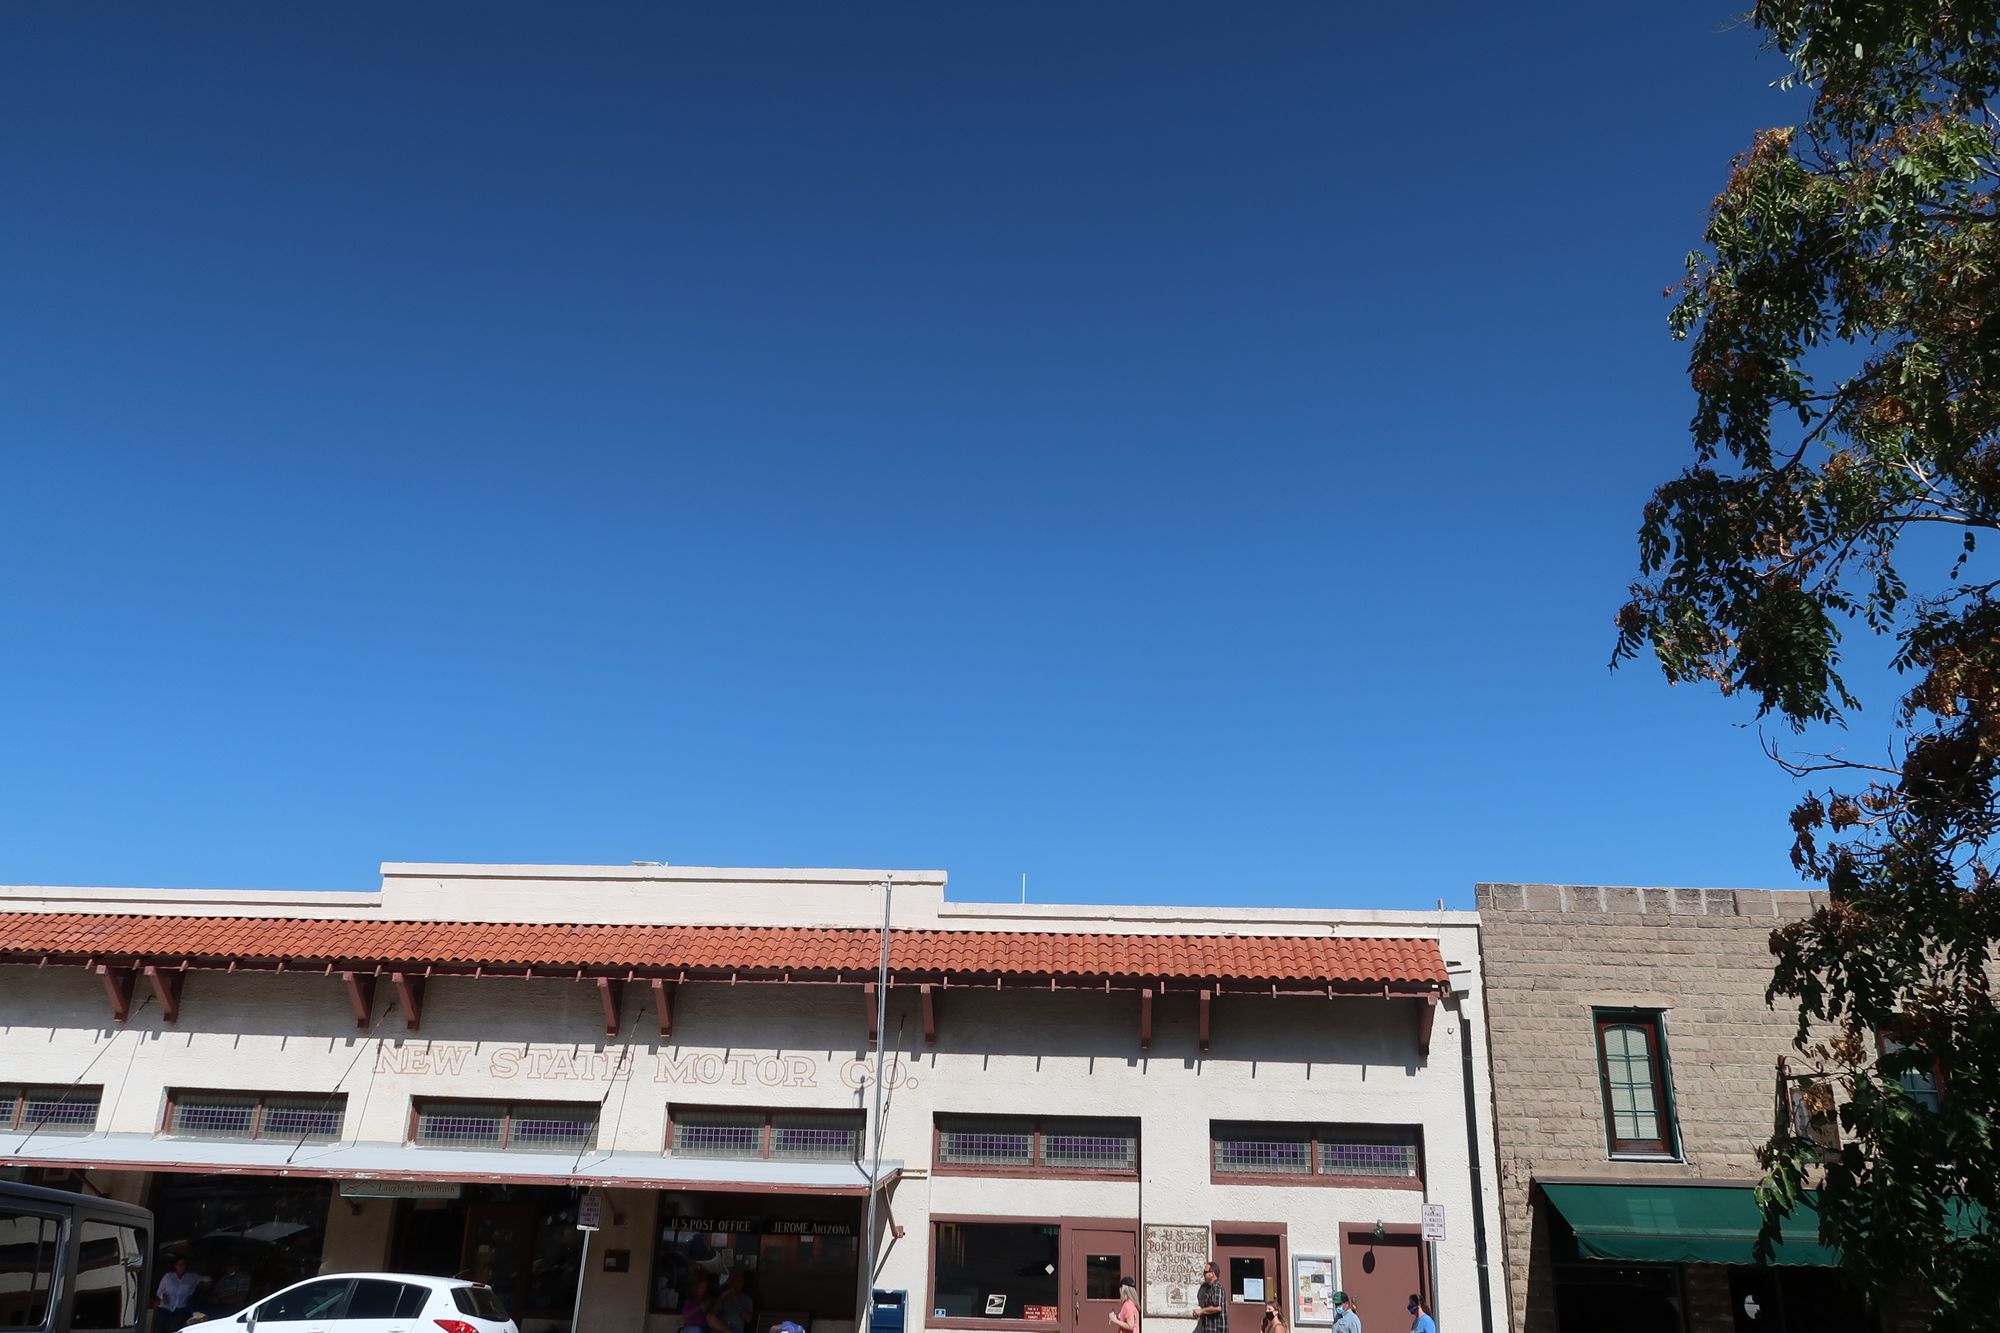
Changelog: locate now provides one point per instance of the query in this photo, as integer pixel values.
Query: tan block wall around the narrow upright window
(1557, 952)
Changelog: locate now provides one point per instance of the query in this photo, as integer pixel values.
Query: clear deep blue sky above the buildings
(1189, 453)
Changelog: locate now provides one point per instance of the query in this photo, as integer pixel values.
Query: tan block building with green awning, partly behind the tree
(1637, 1072)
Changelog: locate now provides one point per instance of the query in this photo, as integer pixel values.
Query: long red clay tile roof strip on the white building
(461, 946)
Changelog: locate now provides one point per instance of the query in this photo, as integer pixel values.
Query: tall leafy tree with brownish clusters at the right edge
(1845, 355)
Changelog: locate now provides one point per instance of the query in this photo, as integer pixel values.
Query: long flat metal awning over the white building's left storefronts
(389, 1162)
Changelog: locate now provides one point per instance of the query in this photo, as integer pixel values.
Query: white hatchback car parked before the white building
(373, 1304)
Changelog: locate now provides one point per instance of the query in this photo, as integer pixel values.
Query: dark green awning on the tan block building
(1681, 1224)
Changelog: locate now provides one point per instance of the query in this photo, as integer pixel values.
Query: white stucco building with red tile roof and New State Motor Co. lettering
(429, 1076)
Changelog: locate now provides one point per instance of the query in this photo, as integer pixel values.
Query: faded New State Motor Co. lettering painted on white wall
(547, 1064)
